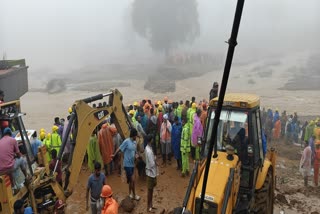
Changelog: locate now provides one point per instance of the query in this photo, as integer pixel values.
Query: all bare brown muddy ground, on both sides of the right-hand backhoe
(290, 196)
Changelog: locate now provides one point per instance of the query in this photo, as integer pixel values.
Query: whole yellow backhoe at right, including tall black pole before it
(236, 173)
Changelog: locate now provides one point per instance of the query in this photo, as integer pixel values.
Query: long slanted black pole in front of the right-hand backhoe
(232, 44)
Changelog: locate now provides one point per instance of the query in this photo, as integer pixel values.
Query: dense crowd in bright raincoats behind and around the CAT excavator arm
(165, 128)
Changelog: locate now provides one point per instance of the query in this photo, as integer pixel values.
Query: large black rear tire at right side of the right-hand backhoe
(264, 197)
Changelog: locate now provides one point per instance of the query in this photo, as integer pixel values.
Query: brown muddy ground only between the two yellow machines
(168, 193)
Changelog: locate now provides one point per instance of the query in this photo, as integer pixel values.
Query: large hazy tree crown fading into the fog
(166, 23)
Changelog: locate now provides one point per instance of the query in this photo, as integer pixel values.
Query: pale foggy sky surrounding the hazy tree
(61, 35)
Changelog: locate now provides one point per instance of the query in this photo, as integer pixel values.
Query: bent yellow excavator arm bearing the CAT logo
(84, 120)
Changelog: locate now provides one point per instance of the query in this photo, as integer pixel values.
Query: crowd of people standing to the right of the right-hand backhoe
(289, 129)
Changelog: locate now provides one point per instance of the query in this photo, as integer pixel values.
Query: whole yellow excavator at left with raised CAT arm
(43, 191)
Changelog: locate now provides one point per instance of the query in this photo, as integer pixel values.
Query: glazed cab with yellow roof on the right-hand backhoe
(240, 131)
